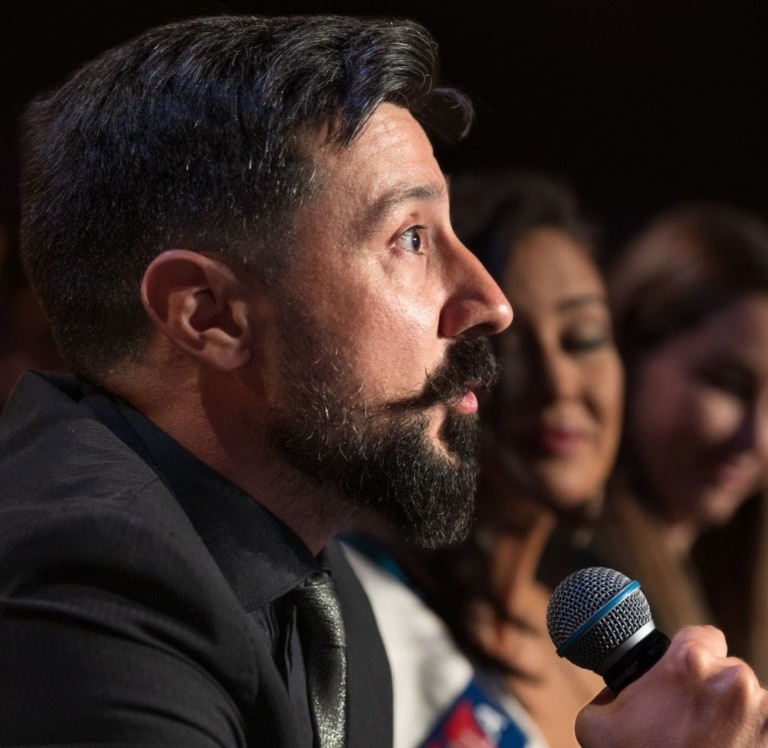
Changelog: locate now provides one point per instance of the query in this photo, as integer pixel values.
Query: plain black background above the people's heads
(637, 104)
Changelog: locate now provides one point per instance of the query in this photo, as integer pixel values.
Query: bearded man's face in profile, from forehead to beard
(381, 321)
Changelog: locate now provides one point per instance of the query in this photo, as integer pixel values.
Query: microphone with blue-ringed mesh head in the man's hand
(600, 620)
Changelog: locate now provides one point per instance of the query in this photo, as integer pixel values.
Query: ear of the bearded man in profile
(200, 305)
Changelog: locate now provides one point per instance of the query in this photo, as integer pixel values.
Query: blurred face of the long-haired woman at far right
(698, 414)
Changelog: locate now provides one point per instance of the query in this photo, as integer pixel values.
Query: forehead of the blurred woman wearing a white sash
(547, 266)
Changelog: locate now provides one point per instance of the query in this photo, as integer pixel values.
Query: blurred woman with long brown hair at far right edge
(686, 513)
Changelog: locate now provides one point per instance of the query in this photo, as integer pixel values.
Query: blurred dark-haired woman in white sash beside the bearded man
(465, 628)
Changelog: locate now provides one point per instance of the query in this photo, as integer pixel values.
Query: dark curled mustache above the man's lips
(470, 363)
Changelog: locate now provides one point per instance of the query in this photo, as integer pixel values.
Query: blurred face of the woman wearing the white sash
(557, 421)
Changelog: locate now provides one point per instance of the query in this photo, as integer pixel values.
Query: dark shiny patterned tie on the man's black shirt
(321, 629)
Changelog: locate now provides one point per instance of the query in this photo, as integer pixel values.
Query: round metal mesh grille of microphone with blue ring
(578, 599)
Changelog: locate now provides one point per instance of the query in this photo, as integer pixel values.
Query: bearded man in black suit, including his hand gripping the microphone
(241, 237)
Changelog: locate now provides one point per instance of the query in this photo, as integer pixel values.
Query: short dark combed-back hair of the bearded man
(196, 135)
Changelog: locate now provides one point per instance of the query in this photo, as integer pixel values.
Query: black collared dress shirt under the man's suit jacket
(264, 560)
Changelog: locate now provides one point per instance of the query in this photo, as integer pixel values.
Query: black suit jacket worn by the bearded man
(122, 621)
